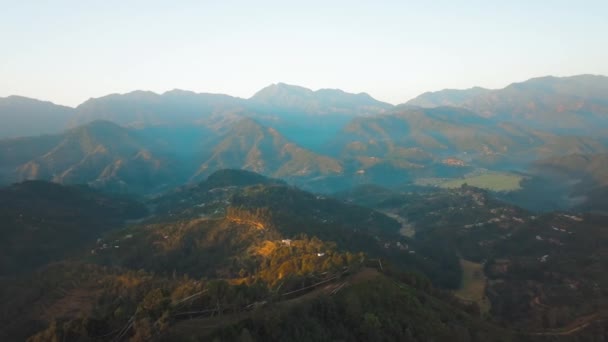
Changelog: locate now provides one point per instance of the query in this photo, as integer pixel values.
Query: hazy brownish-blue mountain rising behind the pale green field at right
(416, 138)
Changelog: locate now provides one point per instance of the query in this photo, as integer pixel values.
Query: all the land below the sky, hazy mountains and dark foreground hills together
(445, 252)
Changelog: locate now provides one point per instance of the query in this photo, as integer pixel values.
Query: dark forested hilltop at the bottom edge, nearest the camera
(372, 310)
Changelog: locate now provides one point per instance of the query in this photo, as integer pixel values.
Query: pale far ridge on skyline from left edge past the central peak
(145, 108)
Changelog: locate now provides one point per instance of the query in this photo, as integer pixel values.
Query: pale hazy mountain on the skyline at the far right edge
(565, 105)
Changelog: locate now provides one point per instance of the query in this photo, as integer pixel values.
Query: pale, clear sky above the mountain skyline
(69, 51)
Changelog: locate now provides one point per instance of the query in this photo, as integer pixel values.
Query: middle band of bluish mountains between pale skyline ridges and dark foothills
(400, 147)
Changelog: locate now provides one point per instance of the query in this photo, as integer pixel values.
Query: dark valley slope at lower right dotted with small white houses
(543, 271)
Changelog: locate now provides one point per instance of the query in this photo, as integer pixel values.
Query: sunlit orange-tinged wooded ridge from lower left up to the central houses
(142, 306)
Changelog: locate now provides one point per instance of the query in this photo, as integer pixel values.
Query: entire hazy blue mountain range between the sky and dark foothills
(323, 140)
